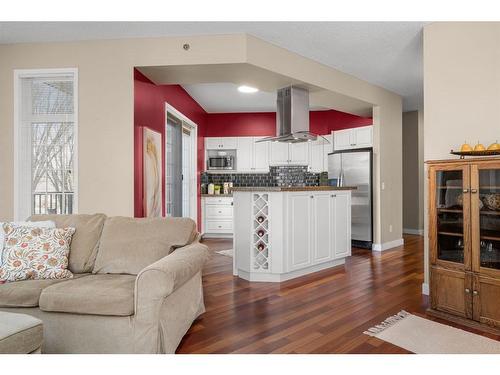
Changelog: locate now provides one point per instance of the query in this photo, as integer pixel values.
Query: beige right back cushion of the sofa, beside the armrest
(128, 245)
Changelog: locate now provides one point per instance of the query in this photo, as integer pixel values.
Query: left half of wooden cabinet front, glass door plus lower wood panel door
(449, 239)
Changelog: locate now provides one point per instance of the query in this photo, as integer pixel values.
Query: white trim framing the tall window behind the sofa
(25, 73)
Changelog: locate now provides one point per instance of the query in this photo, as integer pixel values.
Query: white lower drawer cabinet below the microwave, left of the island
(217, 216)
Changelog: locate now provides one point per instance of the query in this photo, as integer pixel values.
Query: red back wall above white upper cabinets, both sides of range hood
(264, 123)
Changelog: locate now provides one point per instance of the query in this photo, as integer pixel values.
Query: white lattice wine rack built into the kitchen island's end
(260, 253)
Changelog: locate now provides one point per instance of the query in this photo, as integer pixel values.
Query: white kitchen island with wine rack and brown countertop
(285, 232)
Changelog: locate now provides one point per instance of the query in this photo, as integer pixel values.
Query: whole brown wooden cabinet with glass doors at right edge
(464, 240)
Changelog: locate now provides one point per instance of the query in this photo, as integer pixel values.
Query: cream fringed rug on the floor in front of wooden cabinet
(423, 336)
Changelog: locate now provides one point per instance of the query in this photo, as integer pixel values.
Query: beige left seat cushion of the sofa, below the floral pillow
(25, 293)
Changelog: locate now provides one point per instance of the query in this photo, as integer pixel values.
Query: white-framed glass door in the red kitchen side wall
(180, 165)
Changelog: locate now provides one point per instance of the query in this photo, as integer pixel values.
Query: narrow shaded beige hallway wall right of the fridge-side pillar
(412, 172)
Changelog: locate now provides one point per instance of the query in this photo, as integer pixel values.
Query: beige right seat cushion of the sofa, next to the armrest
(92, 294)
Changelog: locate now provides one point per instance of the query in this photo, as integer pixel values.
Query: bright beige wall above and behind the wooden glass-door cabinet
(461, 88)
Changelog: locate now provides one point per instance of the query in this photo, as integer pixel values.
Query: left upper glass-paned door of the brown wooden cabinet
(450, 216)
